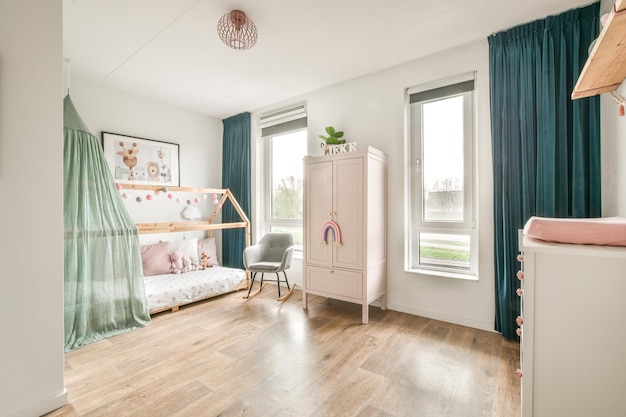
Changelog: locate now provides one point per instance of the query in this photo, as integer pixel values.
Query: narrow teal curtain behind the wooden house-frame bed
(236, 177)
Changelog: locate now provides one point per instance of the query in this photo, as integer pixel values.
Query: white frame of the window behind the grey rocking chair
(278, 123)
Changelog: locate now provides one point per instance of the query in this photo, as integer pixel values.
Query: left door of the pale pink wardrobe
(318, 206)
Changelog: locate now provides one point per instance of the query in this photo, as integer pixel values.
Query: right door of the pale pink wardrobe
(348, 212)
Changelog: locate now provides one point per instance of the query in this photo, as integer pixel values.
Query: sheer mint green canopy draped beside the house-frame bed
(104, 292)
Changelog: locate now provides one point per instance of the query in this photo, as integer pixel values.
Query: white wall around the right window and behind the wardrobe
(371, 112)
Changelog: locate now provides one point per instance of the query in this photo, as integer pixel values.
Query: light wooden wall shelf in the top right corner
(605, 68)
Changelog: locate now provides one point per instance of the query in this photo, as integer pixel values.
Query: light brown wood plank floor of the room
(232, 357)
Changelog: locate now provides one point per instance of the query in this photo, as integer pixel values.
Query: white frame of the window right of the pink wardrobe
(414, 189)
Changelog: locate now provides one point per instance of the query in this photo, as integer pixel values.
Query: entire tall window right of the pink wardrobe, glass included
(443, 236)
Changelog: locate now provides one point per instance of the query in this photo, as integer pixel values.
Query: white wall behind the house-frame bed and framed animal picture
(199, 137)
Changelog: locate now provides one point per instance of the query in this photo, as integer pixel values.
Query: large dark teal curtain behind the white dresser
(546, 147)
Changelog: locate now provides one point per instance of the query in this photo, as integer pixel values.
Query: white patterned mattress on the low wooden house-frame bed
(171, 290)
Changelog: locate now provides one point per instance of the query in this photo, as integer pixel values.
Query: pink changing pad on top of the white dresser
(607, 231)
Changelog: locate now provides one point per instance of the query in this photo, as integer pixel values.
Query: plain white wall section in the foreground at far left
(31, 224)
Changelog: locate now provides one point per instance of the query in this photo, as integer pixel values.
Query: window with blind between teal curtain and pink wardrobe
(285, 145)
